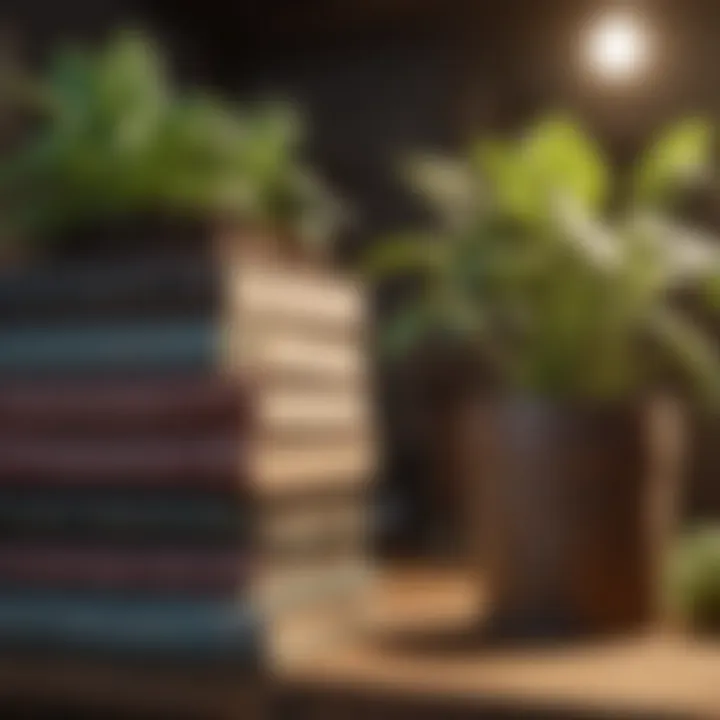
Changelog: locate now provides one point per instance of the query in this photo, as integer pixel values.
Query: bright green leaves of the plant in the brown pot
(528, 267)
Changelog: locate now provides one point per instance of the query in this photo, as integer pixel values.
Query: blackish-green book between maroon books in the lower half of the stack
(187, 517)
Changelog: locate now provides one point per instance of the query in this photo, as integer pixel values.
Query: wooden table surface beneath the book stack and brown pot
(384, 673)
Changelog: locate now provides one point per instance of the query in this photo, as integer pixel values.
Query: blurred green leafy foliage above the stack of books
(116, 137)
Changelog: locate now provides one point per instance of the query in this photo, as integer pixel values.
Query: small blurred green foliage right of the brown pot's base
(694, 580)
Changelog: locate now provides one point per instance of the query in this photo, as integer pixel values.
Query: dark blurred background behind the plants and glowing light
(380, 78)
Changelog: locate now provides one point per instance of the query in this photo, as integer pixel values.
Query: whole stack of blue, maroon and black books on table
(184, 458)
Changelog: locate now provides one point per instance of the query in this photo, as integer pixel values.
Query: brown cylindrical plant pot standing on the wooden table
(574, 504)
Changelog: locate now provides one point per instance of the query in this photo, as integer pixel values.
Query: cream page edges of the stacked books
(301, 339)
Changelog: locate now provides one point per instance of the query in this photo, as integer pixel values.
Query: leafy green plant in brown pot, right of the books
(579, 312)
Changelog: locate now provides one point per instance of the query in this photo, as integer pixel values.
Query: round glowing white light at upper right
(618, 46)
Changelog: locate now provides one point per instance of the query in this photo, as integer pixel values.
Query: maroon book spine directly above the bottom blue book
(218, 572)
